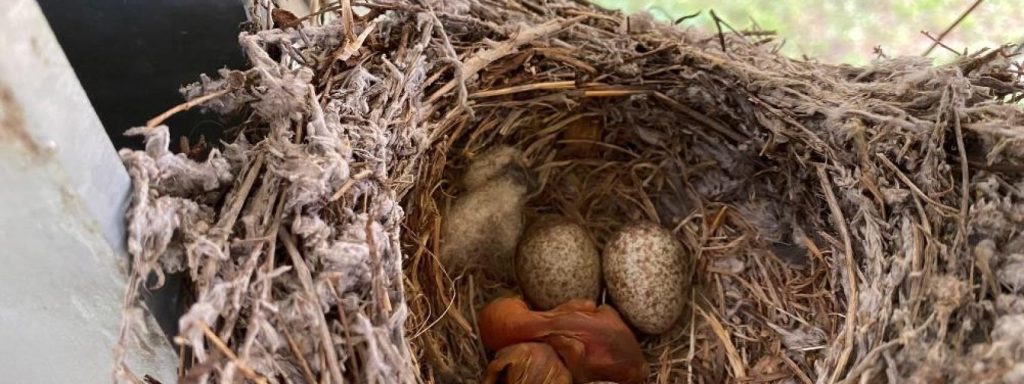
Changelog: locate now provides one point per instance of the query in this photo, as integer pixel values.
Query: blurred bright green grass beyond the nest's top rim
(848, 31)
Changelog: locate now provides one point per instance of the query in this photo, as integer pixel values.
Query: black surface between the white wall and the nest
(134, 56)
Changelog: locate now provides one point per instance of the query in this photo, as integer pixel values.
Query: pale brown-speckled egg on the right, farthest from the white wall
(646, 271)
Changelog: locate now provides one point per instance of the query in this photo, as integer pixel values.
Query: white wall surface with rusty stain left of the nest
(63, 193)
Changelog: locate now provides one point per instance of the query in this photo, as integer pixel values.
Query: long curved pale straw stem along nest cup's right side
(851, 274)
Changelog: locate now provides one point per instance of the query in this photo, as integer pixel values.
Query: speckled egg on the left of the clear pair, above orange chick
(558, 262)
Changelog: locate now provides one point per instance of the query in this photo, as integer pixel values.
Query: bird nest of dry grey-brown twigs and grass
(848, 225)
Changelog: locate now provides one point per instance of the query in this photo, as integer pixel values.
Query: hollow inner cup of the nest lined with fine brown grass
(616, 135)
